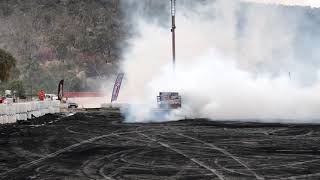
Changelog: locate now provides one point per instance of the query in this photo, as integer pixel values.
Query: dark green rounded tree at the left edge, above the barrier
(7, 63)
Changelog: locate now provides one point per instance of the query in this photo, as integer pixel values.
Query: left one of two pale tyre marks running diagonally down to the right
(214, 171)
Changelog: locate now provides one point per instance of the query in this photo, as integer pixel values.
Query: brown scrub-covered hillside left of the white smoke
(52, 40)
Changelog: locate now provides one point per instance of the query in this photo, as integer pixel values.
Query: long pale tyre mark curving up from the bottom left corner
(52, 155)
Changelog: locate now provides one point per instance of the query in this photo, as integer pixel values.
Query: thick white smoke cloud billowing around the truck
(233, 62)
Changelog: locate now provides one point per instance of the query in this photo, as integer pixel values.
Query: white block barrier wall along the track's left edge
(11, 113)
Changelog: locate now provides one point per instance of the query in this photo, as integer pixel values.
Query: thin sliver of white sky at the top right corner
(311, 3)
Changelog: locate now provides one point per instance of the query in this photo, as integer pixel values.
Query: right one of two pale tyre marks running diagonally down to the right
(224, 152)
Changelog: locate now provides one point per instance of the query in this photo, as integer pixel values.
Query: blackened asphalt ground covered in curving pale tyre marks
(99, 145)
